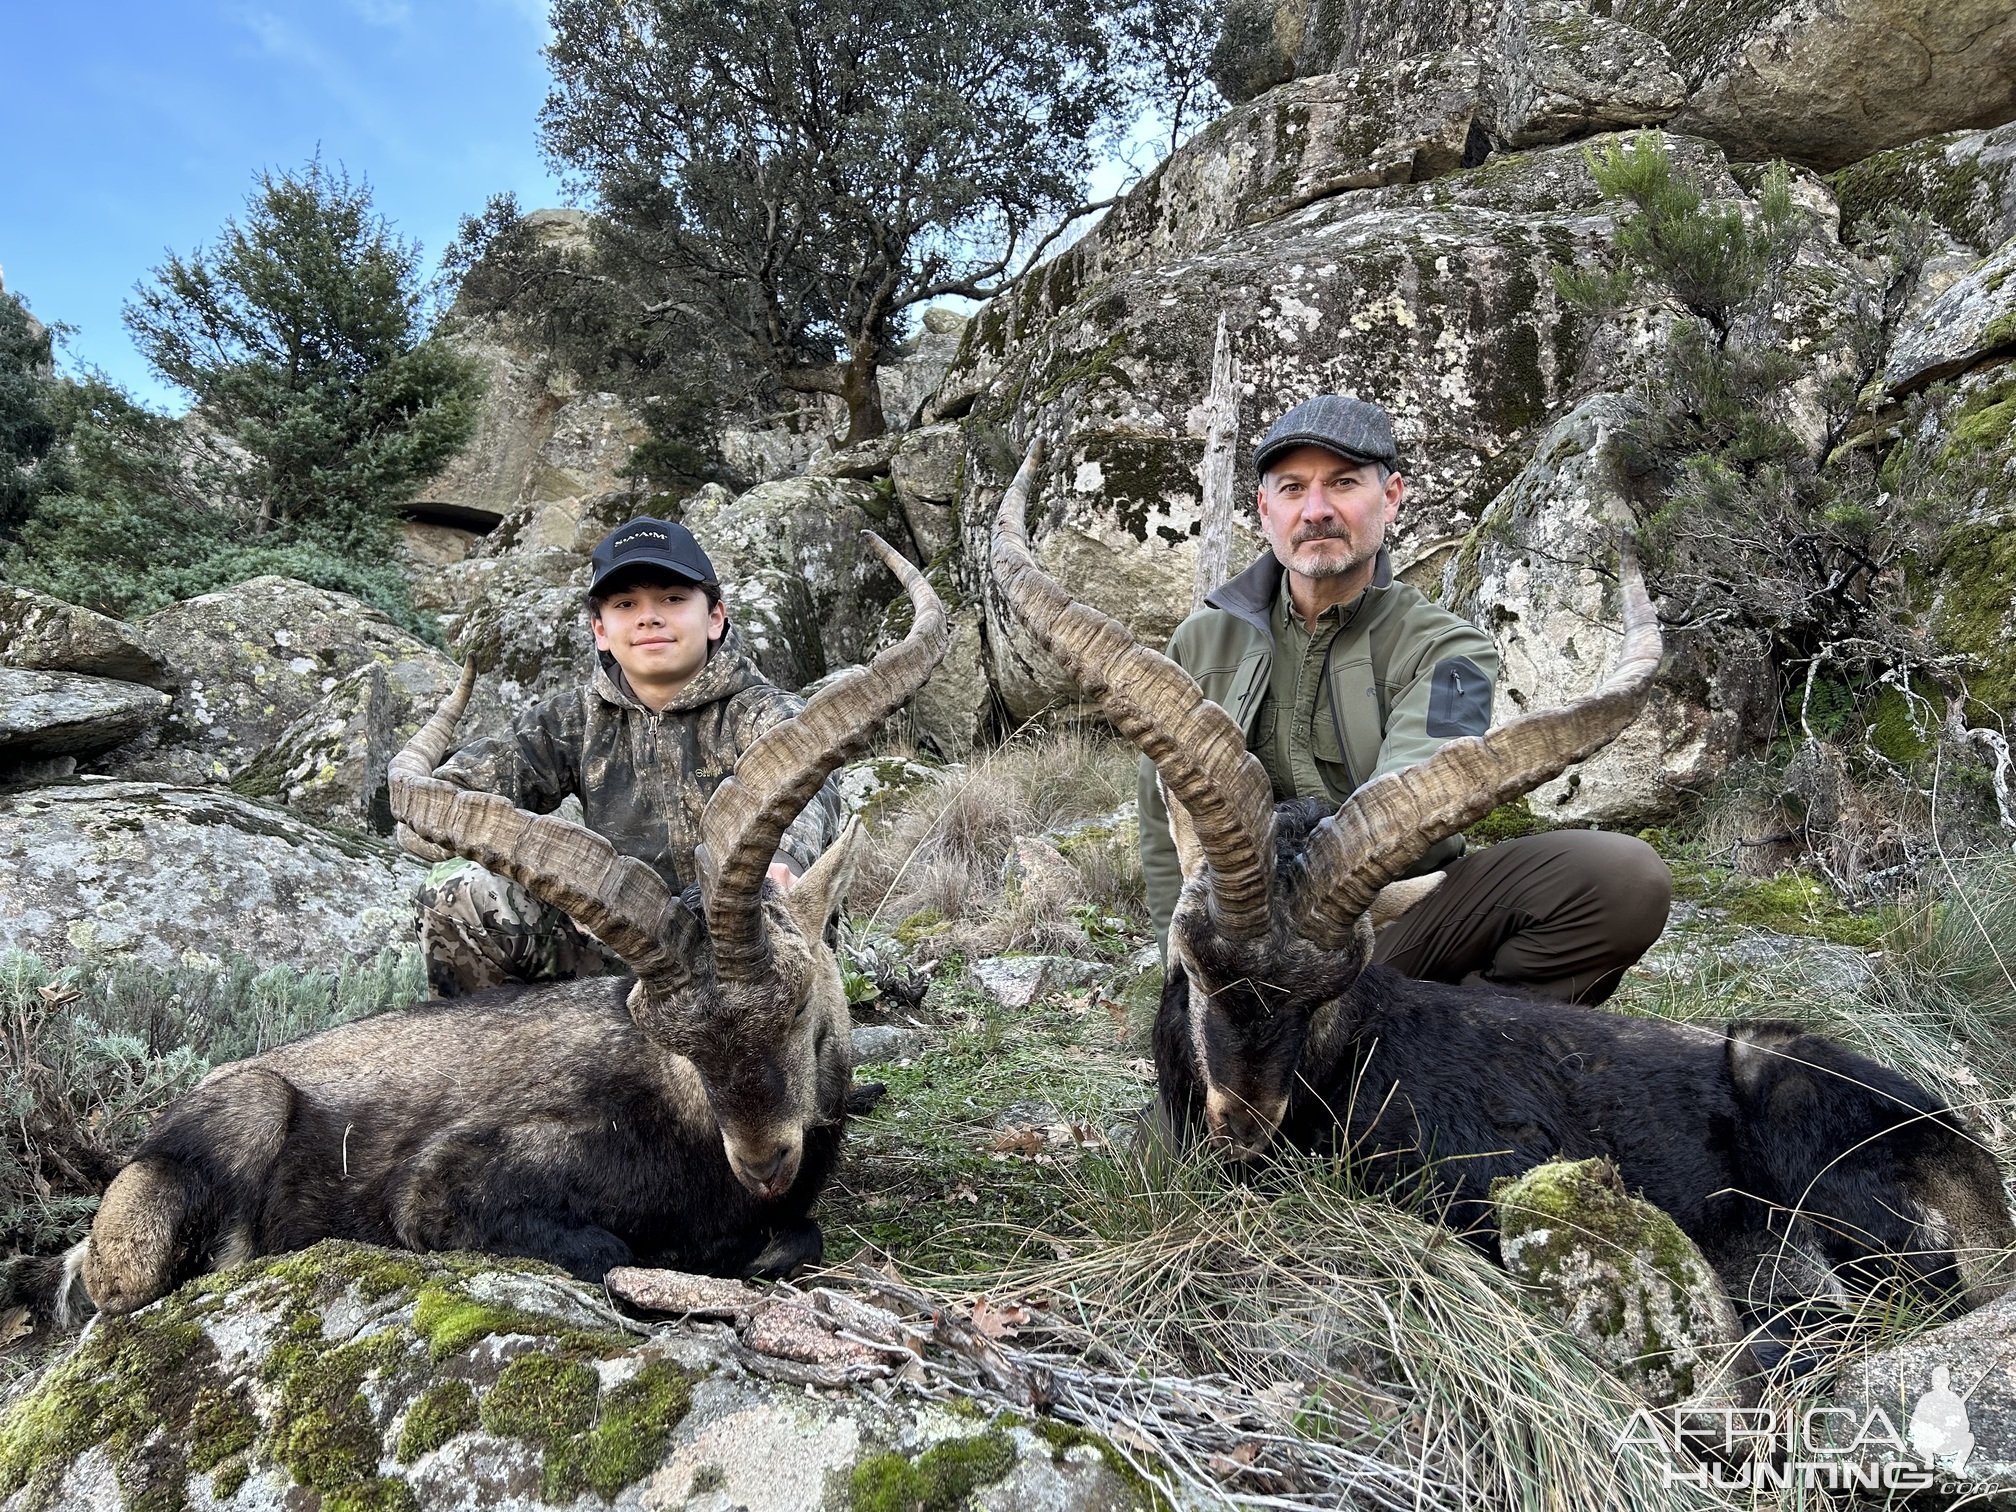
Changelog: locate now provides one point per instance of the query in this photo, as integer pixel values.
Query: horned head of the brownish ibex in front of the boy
(745, 987)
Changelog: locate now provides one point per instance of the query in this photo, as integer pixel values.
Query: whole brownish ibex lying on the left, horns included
(686, 1118)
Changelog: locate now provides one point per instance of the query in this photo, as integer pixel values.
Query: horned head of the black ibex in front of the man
(1277, 914)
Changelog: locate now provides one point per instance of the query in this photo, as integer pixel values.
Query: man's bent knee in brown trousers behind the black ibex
(1561, 914)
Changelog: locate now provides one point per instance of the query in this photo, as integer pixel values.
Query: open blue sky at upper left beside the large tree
(132, 130)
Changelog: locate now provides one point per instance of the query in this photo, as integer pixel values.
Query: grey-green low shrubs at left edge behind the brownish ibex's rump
(94, 1051)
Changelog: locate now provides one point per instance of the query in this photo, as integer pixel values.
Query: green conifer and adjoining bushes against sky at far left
(320, 406)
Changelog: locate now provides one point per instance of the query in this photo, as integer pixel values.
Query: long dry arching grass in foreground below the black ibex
(1380, 1360)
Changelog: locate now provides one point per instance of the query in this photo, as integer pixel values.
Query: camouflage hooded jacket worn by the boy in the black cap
(644, 777)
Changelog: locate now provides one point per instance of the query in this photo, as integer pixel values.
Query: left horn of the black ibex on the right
(1196, 747)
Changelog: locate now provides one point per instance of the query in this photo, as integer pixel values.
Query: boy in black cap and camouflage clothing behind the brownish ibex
(668, 713)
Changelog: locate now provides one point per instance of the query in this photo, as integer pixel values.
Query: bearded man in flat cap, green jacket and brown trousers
(1338, 674)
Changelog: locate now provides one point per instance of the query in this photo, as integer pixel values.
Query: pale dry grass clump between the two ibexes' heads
(944, 858)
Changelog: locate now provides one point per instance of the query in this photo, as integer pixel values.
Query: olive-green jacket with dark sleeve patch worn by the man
(1380, 684)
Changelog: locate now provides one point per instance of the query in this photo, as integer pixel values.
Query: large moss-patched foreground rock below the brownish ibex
(378, 1380)
